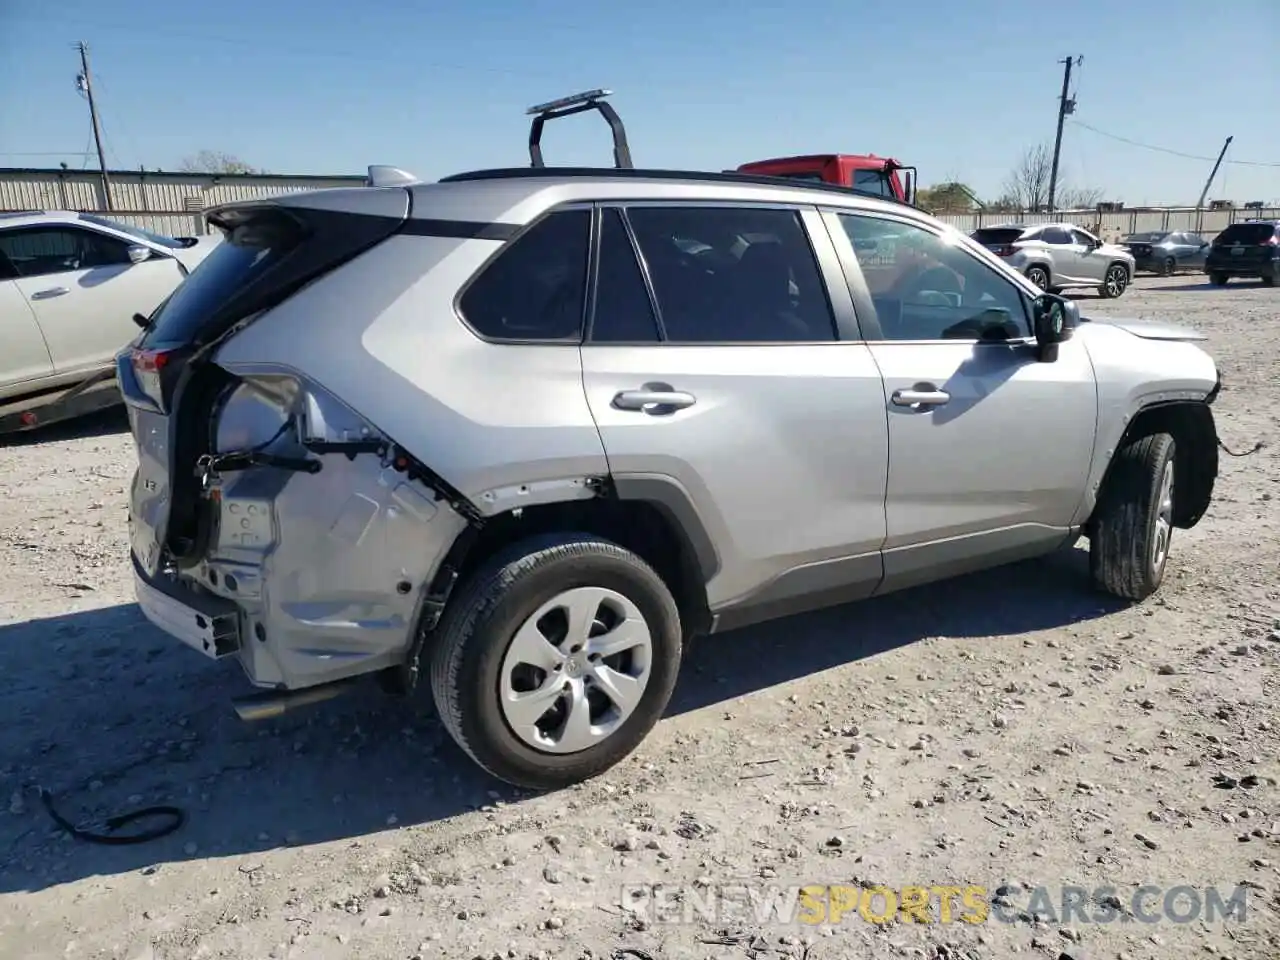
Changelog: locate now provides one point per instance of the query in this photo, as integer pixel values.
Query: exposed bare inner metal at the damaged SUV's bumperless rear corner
(330, 569)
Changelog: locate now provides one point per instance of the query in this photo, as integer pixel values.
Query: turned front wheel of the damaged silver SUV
(1133, 523)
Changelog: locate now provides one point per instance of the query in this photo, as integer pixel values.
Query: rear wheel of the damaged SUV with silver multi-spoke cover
(556, 660)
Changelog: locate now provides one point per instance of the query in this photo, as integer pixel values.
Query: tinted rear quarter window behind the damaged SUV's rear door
(536, 289)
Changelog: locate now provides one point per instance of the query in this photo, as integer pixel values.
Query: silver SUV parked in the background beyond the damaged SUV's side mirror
(1059, 255)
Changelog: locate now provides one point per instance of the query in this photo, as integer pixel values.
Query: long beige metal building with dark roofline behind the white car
(162, 202)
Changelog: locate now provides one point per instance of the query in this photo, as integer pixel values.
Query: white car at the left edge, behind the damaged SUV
(74, 289)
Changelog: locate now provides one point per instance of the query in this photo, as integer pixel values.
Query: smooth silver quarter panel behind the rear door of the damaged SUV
(382, 335)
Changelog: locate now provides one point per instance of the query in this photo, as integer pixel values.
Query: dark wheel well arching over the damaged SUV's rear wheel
(644, 528)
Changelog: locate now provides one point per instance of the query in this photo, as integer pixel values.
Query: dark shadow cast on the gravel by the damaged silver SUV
(111, 715)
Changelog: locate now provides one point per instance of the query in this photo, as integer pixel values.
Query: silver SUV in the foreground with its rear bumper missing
(533, 429)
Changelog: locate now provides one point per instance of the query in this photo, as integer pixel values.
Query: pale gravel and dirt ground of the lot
(1008, 730)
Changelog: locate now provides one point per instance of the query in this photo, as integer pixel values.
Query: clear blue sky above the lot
(959, 90)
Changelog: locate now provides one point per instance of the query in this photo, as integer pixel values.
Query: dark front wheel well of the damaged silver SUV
(1191, 424)
